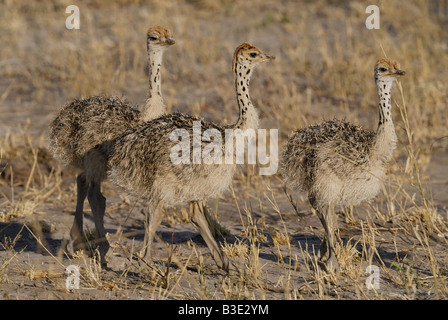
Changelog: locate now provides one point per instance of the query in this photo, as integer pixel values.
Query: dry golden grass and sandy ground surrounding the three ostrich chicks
(324, 67)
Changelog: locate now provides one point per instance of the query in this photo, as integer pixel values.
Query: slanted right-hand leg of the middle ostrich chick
(199, 220)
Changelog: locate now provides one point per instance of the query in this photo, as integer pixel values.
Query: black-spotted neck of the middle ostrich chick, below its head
(248, 116)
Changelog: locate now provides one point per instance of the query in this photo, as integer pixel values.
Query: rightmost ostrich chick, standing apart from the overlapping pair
(339, 163)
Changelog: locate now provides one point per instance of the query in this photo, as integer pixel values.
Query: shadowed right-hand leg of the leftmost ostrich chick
(98, 205)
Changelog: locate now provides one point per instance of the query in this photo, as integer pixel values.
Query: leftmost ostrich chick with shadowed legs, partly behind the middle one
(85, 123)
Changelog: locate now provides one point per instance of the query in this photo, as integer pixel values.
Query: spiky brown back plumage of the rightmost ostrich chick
(347, 145)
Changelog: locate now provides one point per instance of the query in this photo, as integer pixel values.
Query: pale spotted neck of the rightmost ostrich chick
(386, 138)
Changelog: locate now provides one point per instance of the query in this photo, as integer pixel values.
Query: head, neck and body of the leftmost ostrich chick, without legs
(85, 123)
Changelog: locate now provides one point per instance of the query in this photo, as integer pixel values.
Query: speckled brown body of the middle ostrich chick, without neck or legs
(148, 146)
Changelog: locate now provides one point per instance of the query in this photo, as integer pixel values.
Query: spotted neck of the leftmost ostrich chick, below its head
(154, 106)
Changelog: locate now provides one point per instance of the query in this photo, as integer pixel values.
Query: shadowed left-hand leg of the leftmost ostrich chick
(76, 232)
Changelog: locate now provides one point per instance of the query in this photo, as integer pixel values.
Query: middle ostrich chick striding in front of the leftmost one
(140, 163)
